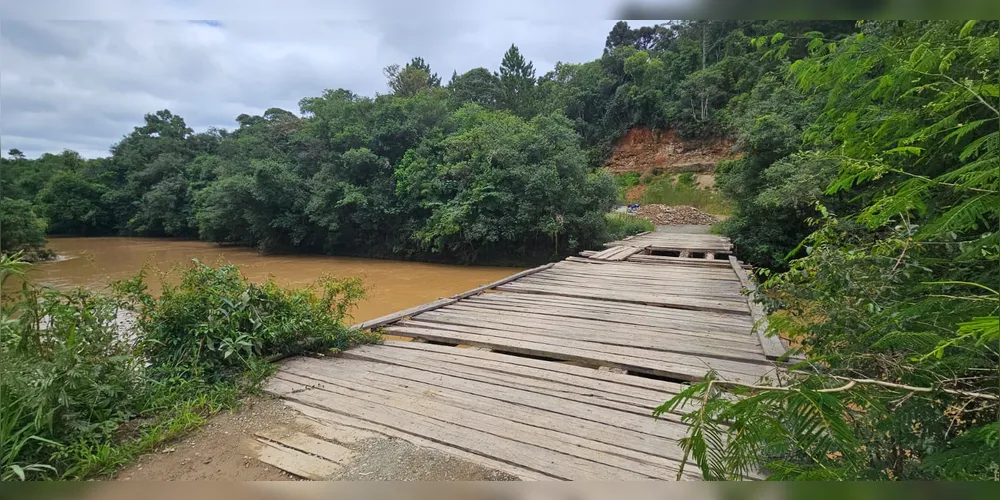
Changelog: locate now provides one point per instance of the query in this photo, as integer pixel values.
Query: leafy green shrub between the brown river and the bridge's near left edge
(215, 321)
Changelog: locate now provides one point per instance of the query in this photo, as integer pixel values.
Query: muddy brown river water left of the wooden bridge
(391, 285)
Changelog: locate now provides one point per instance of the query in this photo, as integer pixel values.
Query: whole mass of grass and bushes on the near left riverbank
(83, 390)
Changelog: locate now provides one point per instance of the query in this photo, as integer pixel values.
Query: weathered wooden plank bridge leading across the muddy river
(553, 372)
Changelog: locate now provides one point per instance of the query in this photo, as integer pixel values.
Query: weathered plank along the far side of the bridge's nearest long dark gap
(680, 367)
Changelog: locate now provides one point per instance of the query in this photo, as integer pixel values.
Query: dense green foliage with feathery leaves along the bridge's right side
(894, 136)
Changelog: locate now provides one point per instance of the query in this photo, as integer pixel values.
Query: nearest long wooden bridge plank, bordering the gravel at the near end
(325, 417)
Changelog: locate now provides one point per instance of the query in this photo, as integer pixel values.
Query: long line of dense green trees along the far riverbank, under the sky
(412, 173)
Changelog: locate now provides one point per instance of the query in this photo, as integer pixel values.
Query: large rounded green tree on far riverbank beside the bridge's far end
(498, 185)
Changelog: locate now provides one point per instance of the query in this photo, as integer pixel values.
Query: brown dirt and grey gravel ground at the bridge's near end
(224, 449)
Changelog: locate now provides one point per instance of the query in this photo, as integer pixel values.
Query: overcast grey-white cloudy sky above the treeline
(84, 81)
